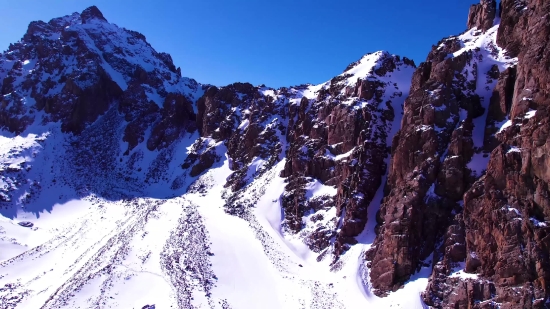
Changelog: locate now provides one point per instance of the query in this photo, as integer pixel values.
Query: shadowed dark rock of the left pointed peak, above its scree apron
(76, 67)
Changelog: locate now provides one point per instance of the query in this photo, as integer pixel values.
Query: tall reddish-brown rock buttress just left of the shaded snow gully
(428, 172)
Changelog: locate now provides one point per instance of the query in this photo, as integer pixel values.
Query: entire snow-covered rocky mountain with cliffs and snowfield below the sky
(125, 185)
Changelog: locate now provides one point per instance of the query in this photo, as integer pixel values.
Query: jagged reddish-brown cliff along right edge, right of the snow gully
(503, 223)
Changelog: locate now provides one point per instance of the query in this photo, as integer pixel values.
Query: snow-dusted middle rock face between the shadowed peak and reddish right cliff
(334, 138)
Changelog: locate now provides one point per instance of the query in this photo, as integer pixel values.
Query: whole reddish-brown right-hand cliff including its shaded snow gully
(440, 207)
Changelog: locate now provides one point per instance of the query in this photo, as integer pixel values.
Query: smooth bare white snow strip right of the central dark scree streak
(238, 259)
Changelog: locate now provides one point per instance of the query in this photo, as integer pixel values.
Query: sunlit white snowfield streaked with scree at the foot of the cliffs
(182, 252)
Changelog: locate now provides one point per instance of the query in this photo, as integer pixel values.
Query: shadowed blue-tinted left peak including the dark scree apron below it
(79, 69)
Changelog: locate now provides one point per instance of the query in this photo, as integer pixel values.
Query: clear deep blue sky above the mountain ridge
(277, 43)
